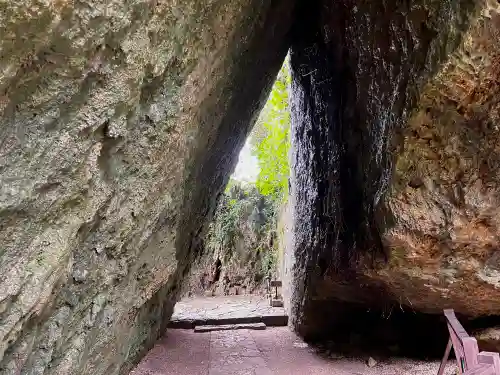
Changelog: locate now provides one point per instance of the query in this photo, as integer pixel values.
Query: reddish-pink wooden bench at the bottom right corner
(469, 360)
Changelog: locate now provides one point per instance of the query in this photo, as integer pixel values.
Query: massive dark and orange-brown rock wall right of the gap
(395, 110)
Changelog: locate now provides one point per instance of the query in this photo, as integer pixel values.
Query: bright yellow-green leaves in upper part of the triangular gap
(271, 140)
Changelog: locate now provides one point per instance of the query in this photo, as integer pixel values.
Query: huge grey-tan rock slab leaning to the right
(120, 122)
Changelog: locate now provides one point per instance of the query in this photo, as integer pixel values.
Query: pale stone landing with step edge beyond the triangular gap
(226, 310)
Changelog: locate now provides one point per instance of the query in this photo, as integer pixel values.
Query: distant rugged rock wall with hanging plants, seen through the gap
(240, 250)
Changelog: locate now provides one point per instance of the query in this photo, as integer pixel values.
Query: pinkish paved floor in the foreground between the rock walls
(274, 351)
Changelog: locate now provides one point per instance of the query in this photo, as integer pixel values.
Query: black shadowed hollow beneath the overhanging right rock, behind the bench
(395, 331)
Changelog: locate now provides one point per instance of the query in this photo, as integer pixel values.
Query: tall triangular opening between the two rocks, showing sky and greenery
(242, 242)
